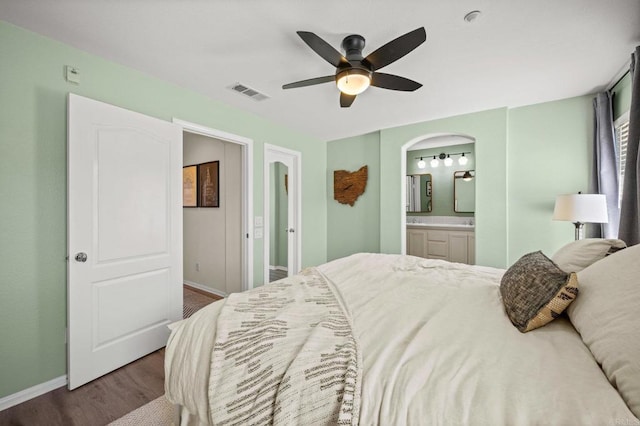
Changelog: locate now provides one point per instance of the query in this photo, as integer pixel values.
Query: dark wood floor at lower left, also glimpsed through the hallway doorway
(105, 399)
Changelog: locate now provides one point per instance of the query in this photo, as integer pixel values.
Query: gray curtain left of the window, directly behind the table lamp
(604, 174)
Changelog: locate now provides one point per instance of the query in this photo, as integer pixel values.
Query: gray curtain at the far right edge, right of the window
(630, 208)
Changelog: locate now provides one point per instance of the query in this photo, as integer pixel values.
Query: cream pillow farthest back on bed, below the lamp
(579, 254)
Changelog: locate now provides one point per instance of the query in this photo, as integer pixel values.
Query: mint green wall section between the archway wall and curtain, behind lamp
(549, 154)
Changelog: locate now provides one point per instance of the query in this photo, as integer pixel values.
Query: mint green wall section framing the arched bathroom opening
(489, 128)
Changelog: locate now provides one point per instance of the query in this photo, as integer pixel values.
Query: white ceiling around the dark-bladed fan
(517, 53)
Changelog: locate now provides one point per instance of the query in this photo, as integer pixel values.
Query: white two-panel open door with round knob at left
(124, 235)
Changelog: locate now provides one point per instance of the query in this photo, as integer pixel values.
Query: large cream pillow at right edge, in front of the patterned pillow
(607, 316)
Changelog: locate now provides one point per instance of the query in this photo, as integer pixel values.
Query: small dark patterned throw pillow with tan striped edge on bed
(535, 291)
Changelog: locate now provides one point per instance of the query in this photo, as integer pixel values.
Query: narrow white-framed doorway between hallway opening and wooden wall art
(282, 237)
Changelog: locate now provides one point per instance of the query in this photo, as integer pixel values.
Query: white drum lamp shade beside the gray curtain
(583, 208)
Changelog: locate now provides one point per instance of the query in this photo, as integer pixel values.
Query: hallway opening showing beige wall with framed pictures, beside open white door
(212, 229)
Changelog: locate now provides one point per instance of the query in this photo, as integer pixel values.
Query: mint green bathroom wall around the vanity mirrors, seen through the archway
(442, 176)
